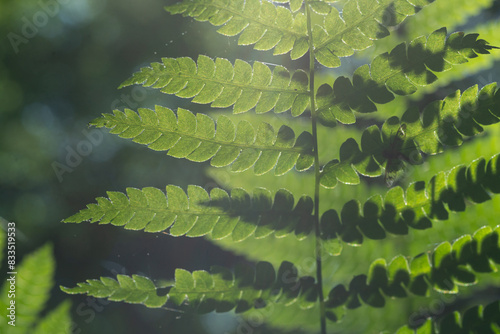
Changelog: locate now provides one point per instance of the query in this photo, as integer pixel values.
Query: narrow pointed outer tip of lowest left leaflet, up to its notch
(135, 290)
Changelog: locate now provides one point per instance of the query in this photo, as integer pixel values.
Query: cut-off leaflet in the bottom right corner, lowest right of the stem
(477, 319)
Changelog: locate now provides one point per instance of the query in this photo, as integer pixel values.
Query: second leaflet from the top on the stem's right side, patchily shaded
(398, 72)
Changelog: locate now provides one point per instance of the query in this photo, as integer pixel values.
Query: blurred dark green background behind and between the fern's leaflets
(60, 64)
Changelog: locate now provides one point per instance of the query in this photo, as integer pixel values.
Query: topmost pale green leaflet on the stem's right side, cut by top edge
(362, 22)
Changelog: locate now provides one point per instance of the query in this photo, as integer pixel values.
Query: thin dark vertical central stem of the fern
(314, 116)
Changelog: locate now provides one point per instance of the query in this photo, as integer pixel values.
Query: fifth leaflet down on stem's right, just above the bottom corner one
(444, 269)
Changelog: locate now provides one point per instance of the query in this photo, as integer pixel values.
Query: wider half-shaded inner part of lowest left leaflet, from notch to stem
(249, 287)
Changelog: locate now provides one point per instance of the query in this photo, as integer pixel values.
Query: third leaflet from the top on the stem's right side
(442, 122)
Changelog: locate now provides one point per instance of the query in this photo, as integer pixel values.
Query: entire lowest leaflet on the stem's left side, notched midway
(220, 290)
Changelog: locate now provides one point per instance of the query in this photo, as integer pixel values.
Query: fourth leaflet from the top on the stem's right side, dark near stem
(416, 207)
